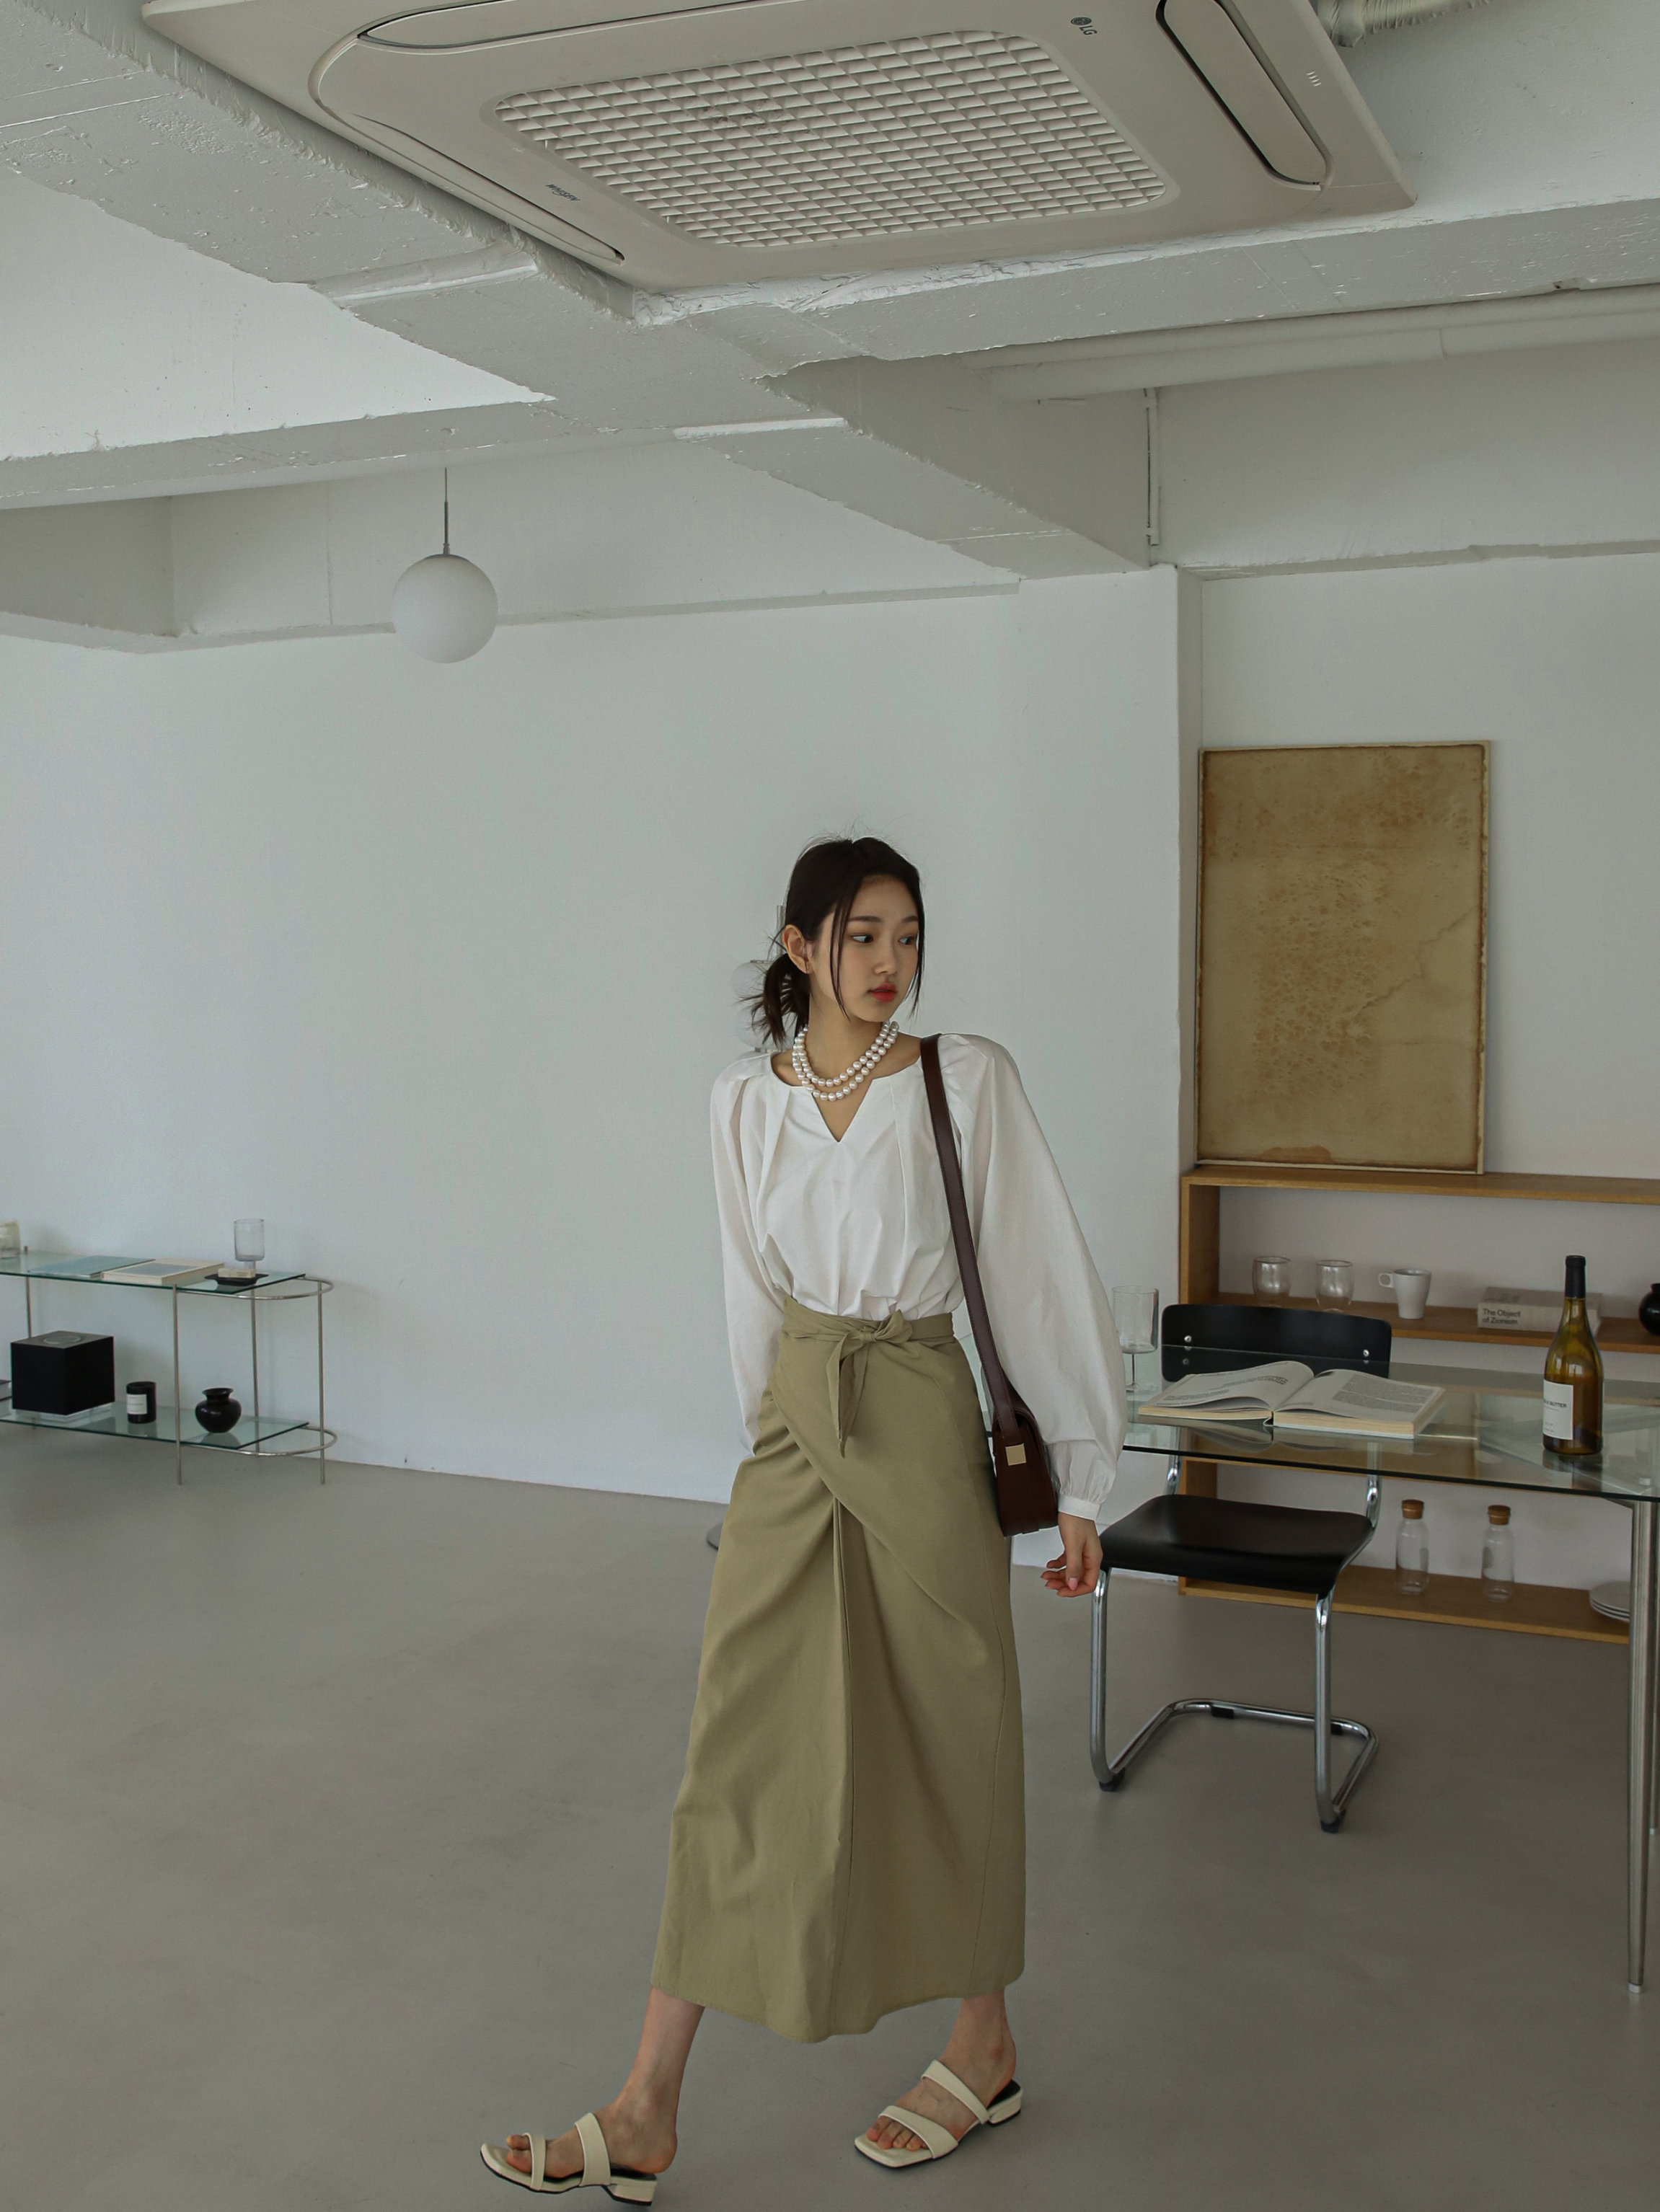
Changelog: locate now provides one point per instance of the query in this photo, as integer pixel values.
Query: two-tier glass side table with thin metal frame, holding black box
(256, 1432)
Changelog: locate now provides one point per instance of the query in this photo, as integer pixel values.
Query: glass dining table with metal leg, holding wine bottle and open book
(1486, 1434)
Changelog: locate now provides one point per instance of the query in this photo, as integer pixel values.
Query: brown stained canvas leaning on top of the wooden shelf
(1342, 954)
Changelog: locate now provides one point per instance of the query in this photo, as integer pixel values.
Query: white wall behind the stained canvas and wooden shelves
(1557, 667)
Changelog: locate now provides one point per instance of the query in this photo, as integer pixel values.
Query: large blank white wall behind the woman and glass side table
(433, 970)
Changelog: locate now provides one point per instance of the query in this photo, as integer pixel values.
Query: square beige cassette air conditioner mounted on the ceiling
(780, 138)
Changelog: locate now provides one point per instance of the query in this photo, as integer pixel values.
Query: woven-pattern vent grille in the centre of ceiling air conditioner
(858, 143)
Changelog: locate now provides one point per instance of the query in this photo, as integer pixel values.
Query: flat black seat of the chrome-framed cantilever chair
(1232, 1541)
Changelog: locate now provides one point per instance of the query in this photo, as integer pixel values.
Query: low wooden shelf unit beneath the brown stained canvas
(1535, 1609)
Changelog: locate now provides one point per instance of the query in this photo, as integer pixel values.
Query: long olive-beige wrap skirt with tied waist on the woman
(851, 1830)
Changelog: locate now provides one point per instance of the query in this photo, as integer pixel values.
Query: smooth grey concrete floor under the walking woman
(333, 1830)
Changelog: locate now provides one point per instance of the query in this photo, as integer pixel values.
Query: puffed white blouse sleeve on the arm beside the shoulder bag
(1050, 1315)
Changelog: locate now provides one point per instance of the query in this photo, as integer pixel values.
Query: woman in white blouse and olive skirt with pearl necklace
(851, 1830)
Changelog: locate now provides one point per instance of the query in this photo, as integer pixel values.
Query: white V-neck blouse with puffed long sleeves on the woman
(860, 1229)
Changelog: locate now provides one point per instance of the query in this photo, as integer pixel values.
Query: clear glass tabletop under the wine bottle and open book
(1488, 1430)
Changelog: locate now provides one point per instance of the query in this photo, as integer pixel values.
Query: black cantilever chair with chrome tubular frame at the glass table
(1245, 1545)
